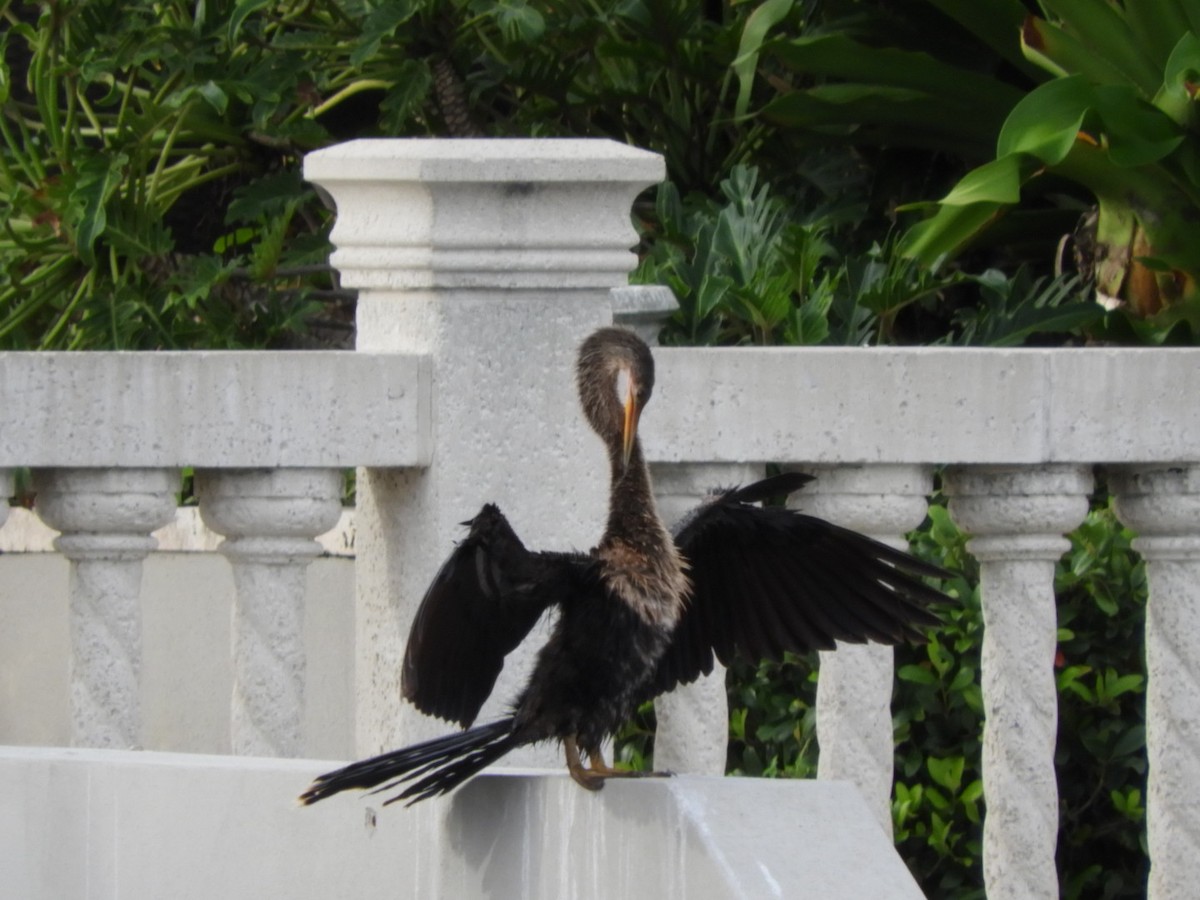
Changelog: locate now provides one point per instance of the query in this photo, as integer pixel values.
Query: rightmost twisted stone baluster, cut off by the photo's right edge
(1163, 506)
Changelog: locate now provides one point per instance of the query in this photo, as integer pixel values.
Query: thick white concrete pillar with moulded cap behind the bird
(495, 259)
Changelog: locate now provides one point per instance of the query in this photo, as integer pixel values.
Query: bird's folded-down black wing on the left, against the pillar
(479, 608)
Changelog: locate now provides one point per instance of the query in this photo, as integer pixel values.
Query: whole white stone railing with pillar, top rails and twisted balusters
(481, 266)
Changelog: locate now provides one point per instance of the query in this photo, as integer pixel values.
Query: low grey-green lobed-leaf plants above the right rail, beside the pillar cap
(748, 268)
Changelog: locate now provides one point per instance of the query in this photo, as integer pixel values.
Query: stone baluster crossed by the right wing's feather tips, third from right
(856, 681)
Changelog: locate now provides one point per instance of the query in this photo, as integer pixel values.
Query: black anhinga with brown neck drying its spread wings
(639, 615)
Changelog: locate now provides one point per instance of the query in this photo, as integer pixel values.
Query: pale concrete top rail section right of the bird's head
(925, 405)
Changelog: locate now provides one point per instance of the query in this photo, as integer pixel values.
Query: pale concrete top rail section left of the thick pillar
(221, 410)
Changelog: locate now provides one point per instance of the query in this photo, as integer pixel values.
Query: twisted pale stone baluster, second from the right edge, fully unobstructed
(1018, 517)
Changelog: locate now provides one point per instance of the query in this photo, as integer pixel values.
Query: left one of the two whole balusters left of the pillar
(106, 518)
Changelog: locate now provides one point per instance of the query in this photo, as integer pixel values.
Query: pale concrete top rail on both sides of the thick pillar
(734, 405)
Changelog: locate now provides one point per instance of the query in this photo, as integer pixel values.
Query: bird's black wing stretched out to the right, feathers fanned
(769, 580)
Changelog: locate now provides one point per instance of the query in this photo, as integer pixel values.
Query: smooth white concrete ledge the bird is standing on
(148, 826)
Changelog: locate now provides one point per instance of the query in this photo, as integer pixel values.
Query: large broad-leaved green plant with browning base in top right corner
(1119, 121)
